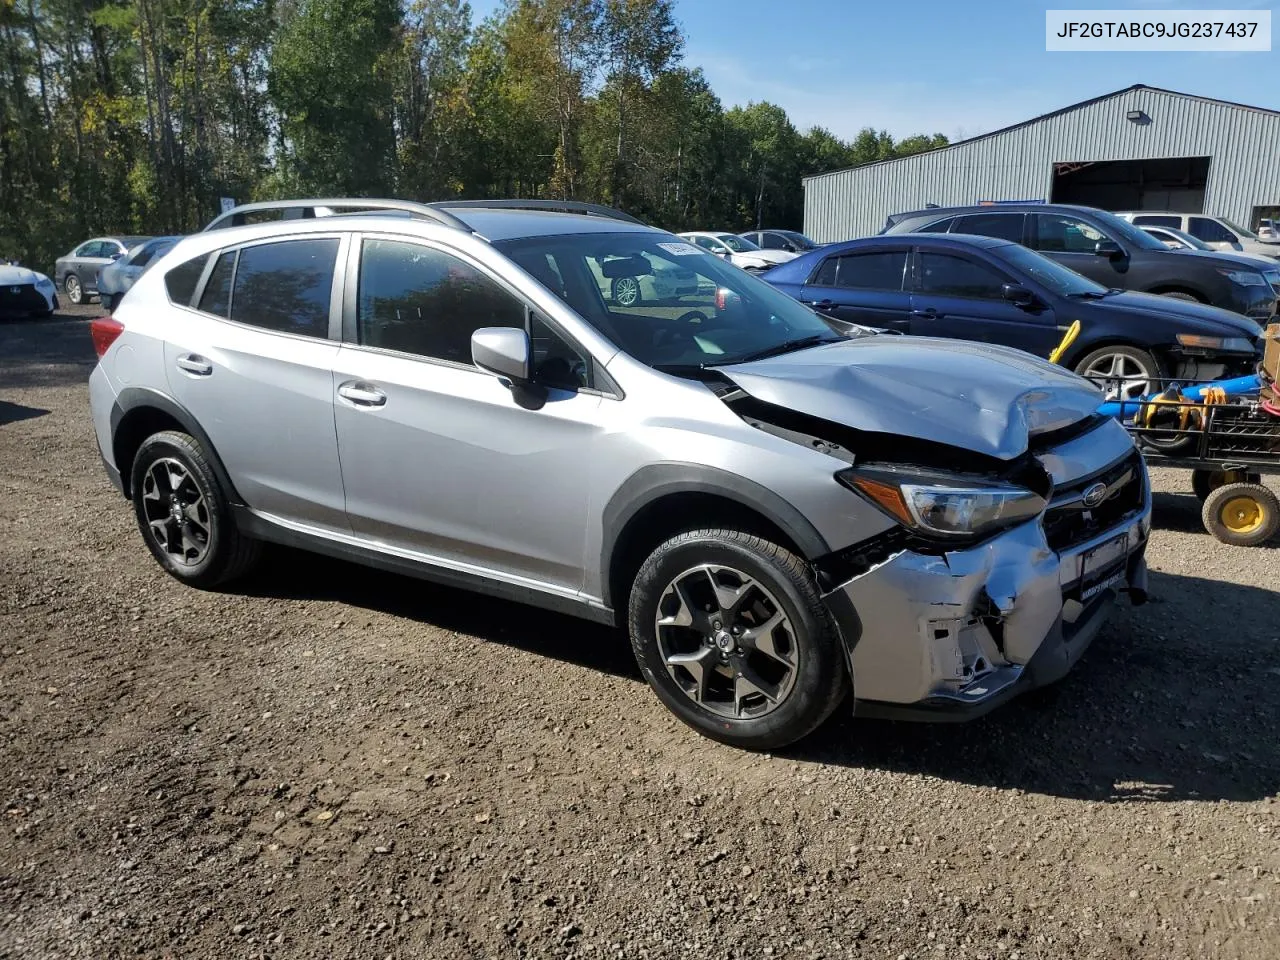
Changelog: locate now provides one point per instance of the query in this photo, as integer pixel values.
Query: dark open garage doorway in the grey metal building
(1172, 184)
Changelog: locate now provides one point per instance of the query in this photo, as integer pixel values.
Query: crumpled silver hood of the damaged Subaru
(980, 397)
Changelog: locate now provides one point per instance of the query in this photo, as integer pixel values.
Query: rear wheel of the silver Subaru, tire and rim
(184, 513)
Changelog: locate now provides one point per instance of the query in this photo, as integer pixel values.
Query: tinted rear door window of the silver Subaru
(286, 287)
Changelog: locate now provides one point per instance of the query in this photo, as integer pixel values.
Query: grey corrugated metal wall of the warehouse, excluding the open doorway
(1244, 147)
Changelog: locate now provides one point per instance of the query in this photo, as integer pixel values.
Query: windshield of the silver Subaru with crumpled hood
(668, 303)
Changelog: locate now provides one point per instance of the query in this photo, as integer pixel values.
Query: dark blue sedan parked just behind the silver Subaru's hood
(994, 291)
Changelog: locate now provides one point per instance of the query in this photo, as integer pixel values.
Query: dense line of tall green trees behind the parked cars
(139, 116)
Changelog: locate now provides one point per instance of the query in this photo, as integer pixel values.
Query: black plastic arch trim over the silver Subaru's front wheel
(657, 481)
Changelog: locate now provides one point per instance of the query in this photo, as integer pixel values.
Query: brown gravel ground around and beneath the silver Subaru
(331, 762)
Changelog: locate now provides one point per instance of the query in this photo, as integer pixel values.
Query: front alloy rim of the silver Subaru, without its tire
(726, 642)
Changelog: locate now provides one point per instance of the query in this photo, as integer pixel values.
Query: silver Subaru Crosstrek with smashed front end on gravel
(783, 510)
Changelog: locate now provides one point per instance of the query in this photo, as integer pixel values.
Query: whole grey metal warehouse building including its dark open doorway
(1137, 149)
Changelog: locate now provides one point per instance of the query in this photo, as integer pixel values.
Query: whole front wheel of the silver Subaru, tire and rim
(733, 636)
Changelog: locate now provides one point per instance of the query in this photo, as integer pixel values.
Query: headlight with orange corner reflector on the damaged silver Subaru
(941, 505)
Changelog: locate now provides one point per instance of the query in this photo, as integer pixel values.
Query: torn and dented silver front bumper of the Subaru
(953, 636)
